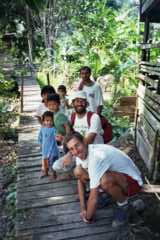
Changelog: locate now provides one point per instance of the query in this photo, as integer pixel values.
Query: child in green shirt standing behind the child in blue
(61, 121)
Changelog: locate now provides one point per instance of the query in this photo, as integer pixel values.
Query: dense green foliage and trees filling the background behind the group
(64, 35)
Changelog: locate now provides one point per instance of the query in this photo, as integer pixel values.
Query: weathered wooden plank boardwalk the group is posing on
(49, 209)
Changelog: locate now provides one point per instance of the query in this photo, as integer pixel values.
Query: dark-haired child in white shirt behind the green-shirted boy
(46, 90)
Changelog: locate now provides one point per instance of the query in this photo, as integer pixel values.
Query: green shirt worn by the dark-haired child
(60, 119)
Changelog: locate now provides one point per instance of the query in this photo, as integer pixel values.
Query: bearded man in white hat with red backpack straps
(92, 132)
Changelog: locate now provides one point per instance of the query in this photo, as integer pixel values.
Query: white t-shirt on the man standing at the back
(94, 96)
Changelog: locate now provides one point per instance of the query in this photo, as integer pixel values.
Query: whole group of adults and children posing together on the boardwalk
(74, 140)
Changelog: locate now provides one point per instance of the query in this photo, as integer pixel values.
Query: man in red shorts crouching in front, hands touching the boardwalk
(108, 168)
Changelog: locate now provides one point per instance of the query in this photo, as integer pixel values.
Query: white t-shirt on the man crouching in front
(102, 158)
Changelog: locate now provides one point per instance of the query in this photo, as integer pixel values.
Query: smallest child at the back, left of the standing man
(62, 91)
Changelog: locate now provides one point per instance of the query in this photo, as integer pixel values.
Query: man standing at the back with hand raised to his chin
(92, 89)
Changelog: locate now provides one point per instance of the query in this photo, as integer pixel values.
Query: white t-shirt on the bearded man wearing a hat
(81, 126)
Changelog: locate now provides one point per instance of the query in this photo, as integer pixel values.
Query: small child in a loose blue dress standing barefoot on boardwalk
(47, 139)
